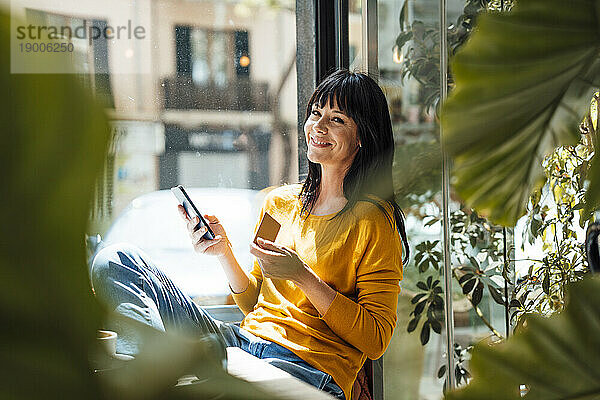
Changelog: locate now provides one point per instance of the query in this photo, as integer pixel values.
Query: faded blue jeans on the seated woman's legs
(125, 278)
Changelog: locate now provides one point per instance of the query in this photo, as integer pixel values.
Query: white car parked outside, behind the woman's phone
(151, 222)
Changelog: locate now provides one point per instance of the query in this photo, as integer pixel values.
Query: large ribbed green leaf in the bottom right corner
(553, 358)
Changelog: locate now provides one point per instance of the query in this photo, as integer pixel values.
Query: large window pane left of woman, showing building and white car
(200, 93)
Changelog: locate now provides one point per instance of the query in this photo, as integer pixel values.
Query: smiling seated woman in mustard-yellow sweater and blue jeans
(322, 297)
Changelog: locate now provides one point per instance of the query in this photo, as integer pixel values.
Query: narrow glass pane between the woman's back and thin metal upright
(409, 76)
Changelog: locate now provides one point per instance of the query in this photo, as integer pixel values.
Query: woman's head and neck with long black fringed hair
(349, 112)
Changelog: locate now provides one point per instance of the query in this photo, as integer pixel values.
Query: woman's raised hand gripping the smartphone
(215, 247)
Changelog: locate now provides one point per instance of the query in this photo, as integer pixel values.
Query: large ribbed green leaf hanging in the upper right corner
(524, 81)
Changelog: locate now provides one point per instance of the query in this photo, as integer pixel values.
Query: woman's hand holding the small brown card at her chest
(278, 261)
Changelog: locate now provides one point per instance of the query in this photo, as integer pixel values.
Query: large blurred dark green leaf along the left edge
(53, 141)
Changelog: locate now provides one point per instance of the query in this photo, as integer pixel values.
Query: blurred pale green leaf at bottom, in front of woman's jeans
(164, 358)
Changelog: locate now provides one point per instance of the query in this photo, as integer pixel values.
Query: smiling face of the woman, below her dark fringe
(331, 135)
